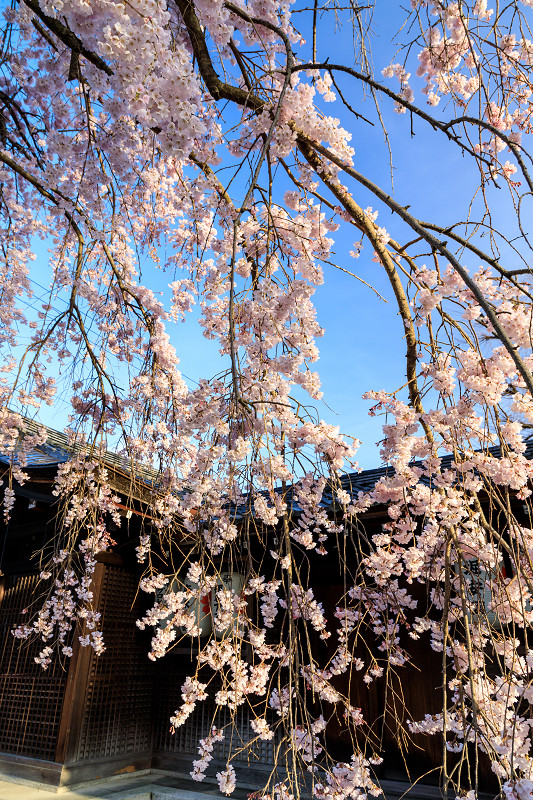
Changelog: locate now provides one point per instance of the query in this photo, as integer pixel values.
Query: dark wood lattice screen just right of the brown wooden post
(118, 700)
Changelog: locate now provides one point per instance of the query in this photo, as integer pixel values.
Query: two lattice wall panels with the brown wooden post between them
(90, 713)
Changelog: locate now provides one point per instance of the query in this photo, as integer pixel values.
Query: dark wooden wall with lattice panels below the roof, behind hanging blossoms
(96, 716)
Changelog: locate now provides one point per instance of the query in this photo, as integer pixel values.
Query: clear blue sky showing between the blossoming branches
(363, 347)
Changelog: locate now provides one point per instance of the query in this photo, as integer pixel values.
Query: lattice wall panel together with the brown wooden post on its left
(109, 699)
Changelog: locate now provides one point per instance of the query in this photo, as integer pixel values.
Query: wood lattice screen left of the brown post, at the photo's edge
(30, 698)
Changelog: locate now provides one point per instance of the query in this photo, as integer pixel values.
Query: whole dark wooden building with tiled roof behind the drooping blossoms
(90, 716)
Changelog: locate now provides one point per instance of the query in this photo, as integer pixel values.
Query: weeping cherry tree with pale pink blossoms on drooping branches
(125, 132)
